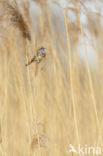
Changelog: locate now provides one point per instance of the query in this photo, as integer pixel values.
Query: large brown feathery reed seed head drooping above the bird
(14, 17)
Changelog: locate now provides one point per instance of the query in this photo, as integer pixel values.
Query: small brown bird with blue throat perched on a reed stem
(38, 57)
